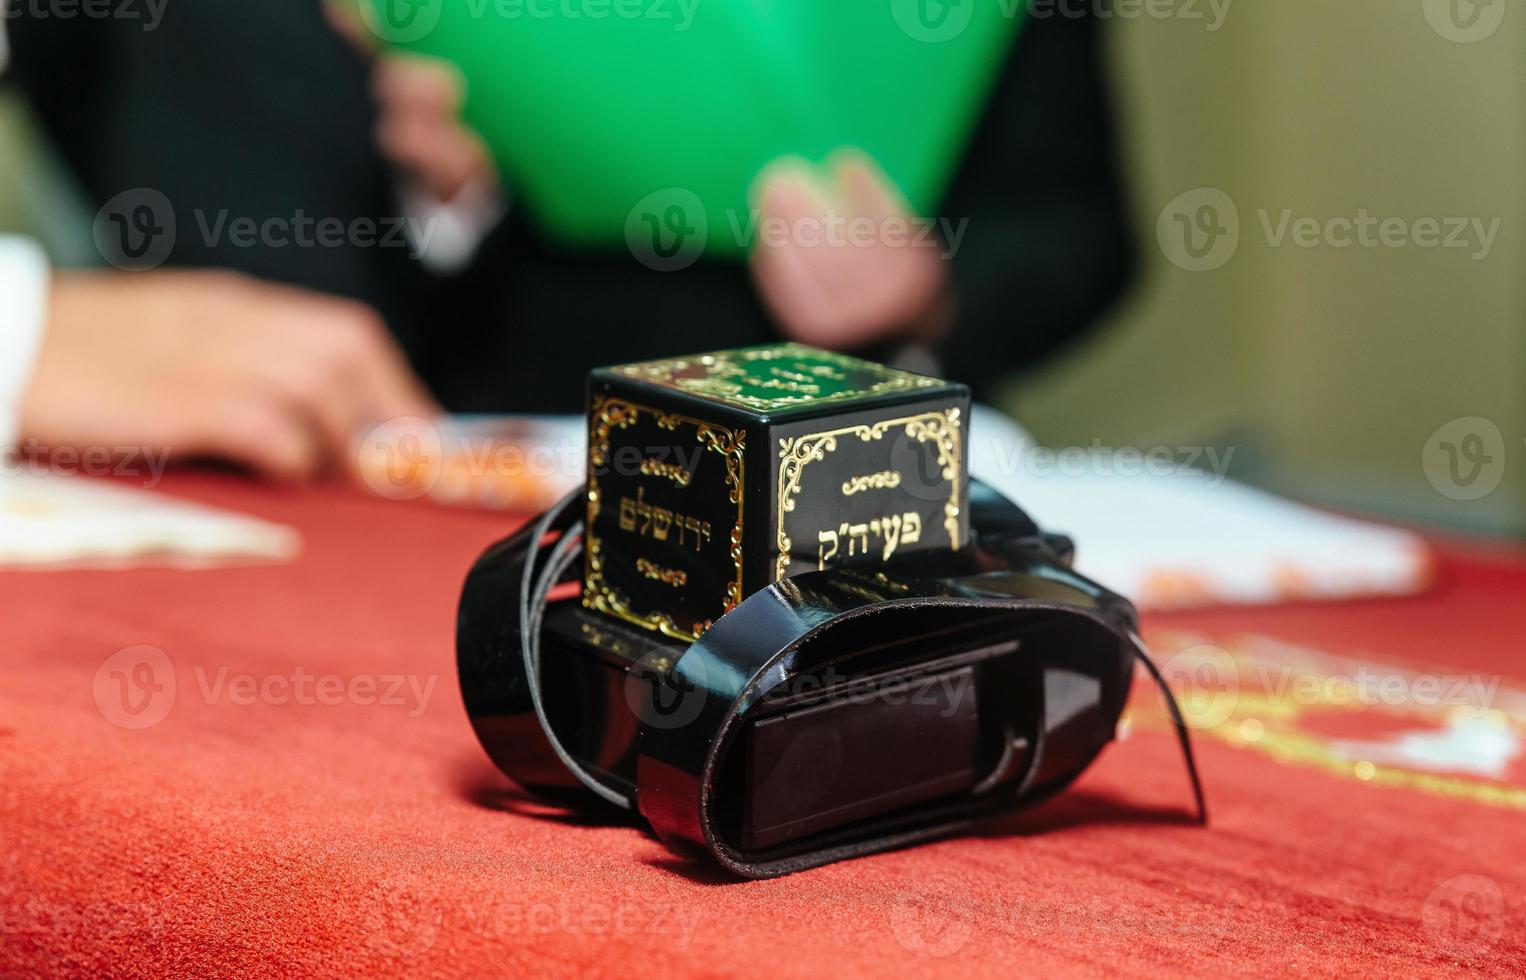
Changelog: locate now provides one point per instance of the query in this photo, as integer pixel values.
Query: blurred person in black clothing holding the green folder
(280, 111)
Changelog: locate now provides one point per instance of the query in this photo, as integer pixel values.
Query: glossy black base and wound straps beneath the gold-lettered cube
(1023, 666)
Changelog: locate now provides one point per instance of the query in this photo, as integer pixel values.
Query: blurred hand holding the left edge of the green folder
(420, 102)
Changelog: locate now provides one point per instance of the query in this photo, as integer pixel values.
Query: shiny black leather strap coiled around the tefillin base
(1014, 581)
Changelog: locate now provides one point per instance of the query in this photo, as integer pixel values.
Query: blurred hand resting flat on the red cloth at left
(213, 364)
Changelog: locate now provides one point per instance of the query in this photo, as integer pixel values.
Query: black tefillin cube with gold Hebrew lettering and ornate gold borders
(715, 475)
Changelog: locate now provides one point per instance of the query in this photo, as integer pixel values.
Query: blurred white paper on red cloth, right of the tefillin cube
(1186, 540)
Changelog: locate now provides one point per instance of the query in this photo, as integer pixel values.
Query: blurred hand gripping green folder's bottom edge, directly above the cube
(839, 260)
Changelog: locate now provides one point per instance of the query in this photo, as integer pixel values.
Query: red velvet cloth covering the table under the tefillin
(286, 837)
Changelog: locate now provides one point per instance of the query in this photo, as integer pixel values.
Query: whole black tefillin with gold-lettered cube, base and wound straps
(782, 624)
